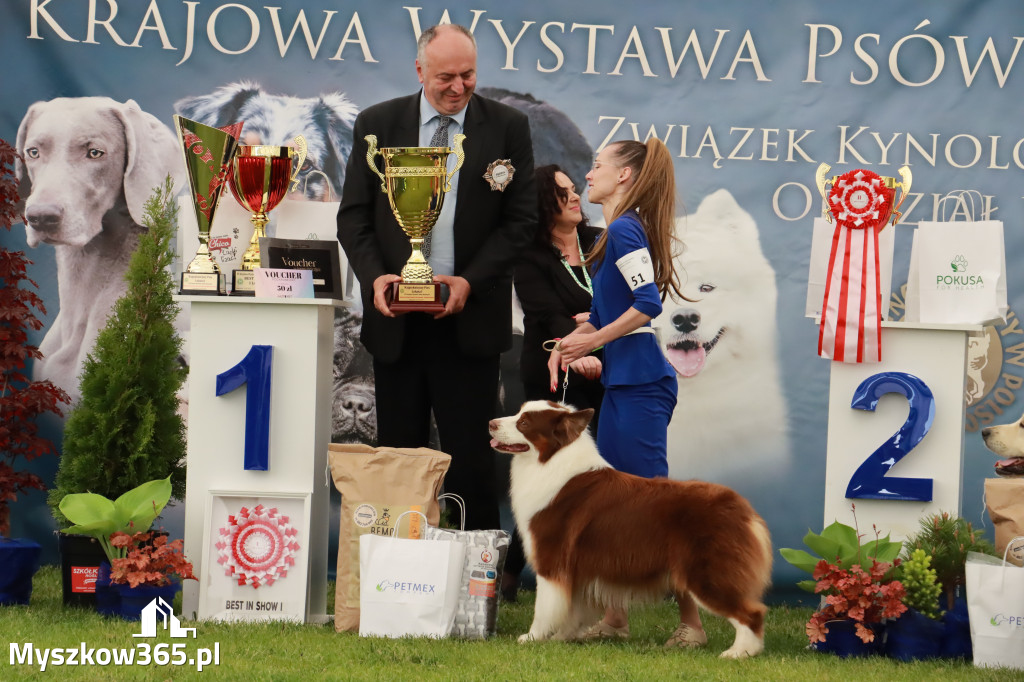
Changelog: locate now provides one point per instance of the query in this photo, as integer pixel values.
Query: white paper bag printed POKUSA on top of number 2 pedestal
(960, 273)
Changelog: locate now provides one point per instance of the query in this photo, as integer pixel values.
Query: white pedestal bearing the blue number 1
(302, 334)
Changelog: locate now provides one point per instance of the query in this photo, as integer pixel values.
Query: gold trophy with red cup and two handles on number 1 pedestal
(261, 177)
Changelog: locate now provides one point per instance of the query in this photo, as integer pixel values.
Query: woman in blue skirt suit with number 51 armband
(635, 185)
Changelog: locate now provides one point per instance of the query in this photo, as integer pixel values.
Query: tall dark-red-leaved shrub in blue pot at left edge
(22, 401)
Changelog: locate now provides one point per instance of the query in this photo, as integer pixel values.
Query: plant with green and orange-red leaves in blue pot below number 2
(858, 585)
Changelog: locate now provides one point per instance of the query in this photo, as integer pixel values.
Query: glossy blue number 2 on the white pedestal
(870, 481)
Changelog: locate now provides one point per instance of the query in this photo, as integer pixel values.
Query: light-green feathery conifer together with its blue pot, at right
(948, 540)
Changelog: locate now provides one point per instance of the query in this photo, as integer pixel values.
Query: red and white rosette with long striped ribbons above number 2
(851, 313)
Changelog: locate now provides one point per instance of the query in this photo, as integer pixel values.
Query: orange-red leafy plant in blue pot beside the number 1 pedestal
(152, 568)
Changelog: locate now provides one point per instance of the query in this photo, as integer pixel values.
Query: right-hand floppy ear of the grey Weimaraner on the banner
(152, 152)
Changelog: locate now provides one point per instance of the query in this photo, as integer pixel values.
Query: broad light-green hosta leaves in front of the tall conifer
(102, 519)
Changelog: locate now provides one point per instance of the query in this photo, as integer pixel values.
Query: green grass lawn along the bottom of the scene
(286, 652)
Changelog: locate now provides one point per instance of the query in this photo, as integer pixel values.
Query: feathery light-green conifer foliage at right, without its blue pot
(948, 540)
